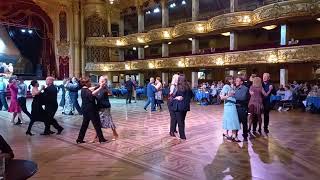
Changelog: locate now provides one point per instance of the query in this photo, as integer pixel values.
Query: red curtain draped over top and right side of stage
(27, 14)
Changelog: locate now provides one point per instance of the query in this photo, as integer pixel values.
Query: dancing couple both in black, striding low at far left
(46, 96)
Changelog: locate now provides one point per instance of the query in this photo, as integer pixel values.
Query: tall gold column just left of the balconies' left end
(76, 38)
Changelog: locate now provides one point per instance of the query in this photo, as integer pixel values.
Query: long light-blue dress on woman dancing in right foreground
(230, 115)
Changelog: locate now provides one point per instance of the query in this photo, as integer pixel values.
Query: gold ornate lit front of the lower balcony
(274, 55)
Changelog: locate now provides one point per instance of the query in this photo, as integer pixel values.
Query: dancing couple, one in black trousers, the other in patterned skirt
(98, 113)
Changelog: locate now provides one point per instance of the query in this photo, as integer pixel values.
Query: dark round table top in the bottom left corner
(18, 169)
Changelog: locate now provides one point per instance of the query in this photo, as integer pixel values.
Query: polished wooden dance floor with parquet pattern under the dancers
(144, 149)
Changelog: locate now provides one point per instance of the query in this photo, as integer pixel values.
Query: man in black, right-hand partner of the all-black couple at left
(51, 106)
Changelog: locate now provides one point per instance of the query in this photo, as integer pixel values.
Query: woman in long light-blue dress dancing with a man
(230, 115)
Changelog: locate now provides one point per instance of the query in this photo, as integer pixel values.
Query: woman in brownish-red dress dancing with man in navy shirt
(255, 103)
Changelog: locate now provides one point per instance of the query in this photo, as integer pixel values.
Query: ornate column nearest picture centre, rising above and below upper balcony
(165, 23)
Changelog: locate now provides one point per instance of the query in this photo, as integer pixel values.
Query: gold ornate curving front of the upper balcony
(265, 14)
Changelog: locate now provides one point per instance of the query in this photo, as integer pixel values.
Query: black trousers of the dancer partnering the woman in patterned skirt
(96, 124)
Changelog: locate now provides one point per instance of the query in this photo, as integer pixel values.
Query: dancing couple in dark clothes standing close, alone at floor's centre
(179, 99)
